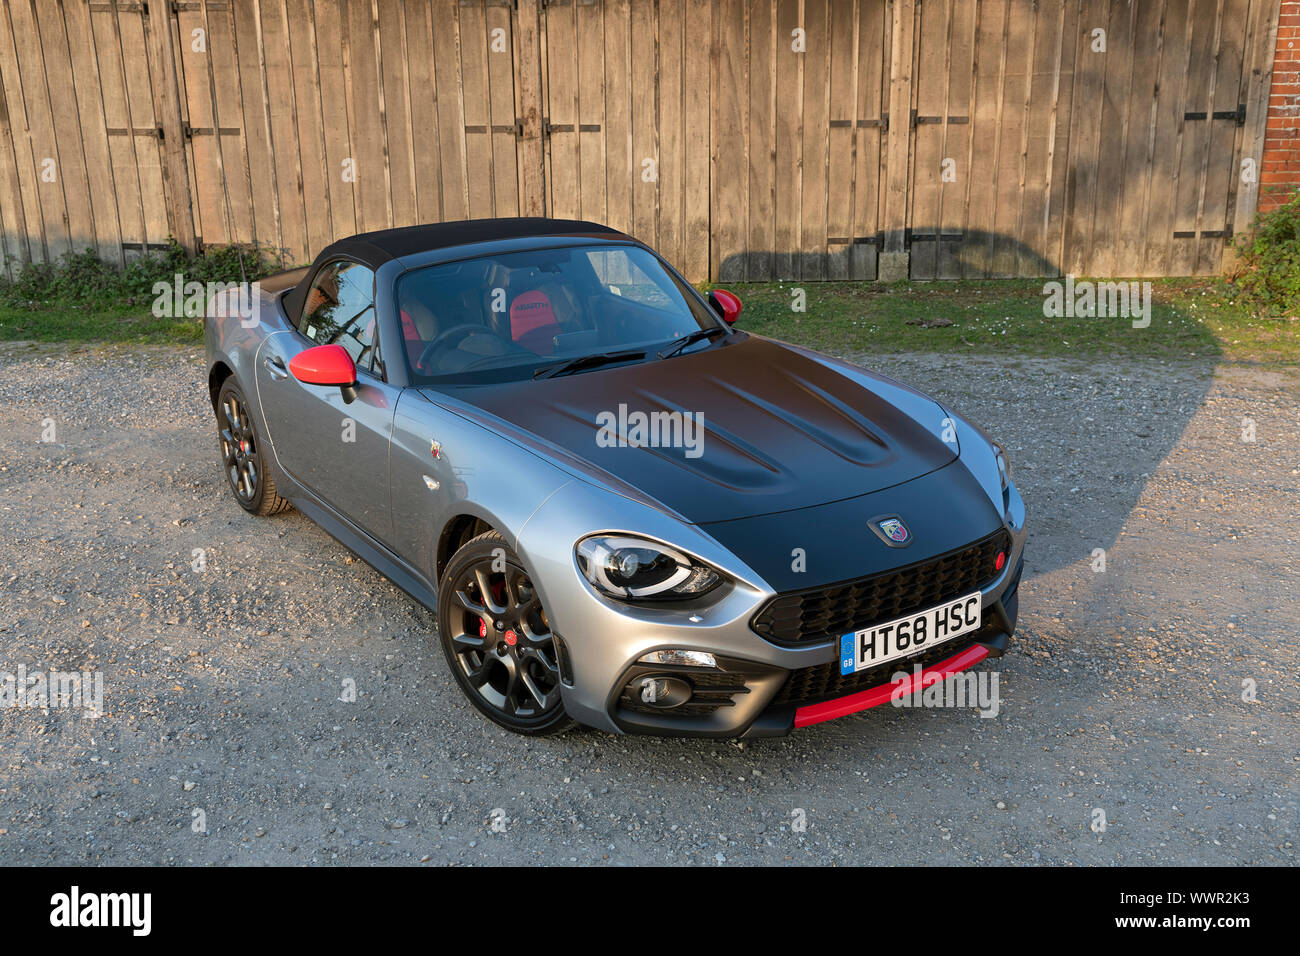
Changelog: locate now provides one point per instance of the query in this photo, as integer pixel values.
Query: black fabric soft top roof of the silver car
(382, 246)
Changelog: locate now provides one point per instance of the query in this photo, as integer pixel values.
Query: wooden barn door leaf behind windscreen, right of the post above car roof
(626, 120)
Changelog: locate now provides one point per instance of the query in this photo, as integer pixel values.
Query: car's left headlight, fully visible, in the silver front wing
(632, 569)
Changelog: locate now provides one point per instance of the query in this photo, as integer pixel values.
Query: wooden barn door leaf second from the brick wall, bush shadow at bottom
(991, 92)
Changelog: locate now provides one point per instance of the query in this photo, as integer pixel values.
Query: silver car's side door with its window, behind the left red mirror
(335, 449)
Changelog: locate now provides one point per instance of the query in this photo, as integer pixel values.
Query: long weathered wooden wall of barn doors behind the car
(746, 140)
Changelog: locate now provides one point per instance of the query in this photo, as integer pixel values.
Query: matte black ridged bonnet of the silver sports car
(779, 430)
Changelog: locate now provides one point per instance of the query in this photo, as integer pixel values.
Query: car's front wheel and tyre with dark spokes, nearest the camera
(497, 639)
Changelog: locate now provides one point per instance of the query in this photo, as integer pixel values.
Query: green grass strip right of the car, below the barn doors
(1190, 319)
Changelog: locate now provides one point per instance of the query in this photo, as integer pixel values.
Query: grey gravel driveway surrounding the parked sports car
(224, 738)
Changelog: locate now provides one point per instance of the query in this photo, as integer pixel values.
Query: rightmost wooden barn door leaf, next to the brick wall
(1165, 98)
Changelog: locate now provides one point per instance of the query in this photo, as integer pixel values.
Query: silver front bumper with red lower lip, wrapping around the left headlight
(761, 686)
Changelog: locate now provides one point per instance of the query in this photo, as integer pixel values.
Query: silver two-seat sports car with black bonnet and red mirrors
(625, 512)
